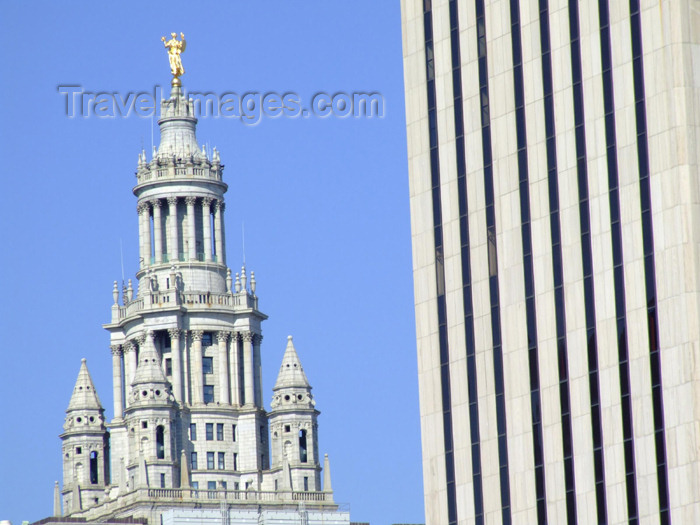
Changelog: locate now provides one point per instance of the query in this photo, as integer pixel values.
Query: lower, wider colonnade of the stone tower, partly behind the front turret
(238, 370)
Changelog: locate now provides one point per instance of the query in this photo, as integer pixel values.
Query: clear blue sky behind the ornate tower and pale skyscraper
(324, 201)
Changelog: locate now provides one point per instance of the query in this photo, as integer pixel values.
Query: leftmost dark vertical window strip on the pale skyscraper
(440, 269)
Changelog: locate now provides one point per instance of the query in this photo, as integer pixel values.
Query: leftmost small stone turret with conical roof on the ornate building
(85, 446)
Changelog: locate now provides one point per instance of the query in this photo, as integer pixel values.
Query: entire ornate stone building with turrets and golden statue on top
(190, 438)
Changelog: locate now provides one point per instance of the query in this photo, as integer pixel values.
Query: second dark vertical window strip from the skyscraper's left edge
(466, 266)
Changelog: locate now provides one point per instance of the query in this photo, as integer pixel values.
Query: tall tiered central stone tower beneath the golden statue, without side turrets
(192, 319)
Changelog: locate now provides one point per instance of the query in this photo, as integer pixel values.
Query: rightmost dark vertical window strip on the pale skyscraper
(649, 262)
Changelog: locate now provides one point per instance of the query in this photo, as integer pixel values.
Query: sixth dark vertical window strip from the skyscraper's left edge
(587, 263)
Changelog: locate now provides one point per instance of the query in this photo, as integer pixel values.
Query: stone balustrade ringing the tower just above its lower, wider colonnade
(168, 299)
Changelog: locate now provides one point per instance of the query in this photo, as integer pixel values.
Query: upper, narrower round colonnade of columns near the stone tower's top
(153, 240)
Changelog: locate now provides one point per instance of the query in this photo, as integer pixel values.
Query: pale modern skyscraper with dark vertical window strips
(555, 204)
